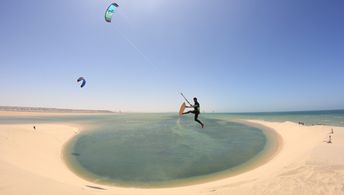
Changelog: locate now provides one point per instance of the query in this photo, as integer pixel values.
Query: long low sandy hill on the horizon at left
(54, 110)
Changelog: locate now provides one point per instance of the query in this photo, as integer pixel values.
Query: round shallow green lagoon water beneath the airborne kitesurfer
(161, 150)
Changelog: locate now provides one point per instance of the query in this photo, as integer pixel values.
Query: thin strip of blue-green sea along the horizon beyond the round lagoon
(327, 117)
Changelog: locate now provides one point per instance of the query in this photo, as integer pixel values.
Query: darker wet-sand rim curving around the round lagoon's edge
(272, 147)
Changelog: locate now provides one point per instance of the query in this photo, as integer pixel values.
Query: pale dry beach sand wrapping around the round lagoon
(31, 163)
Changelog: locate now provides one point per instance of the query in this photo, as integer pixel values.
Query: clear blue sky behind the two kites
(234, 55)
